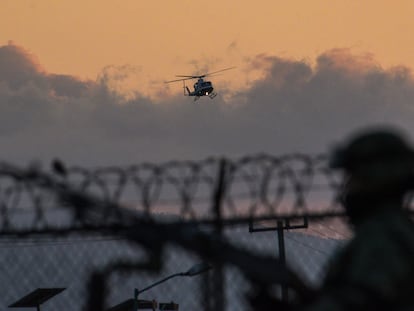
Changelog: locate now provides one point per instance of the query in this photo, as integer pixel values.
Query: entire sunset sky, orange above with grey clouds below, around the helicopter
(84, 80)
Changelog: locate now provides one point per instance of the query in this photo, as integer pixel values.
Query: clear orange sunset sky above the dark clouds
(159, 38)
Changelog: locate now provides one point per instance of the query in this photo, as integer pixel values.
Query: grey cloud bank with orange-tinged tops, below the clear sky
(296, 107)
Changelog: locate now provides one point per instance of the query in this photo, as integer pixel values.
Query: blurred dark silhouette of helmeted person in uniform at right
(375, 270)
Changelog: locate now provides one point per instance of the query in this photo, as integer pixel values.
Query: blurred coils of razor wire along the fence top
(254, 187)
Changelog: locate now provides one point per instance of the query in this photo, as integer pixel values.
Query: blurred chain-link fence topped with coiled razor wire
(139, 224)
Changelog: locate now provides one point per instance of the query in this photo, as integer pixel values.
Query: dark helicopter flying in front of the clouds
(201, 87)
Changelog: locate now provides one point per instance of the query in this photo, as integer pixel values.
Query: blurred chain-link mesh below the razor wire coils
(68, 262)
